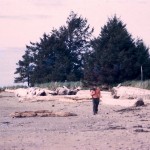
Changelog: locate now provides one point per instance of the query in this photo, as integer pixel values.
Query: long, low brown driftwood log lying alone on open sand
(41, 113)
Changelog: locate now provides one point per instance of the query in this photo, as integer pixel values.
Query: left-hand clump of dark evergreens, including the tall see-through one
(58, 56)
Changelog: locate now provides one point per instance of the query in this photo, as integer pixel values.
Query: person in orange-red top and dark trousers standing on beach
(96, 94)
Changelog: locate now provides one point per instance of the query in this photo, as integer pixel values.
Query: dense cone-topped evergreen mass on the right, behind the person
(116, 57)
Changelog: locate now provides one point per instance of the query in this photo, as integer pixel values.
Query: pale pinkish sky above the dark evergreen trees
(22, 21)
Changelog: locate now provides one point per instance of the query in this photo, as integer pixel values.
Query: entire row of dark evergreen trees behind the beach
(71, 53)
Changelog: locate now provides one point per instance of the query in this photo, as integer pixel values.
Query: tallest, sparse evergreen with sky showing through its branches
(78, 43)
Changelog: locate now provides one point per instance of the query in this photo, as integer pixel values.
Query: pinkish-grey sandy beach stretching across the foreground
(115, 127)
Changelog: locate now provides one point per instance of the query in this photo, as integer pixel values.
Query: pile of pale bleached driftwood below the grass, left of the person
(34, 94)
